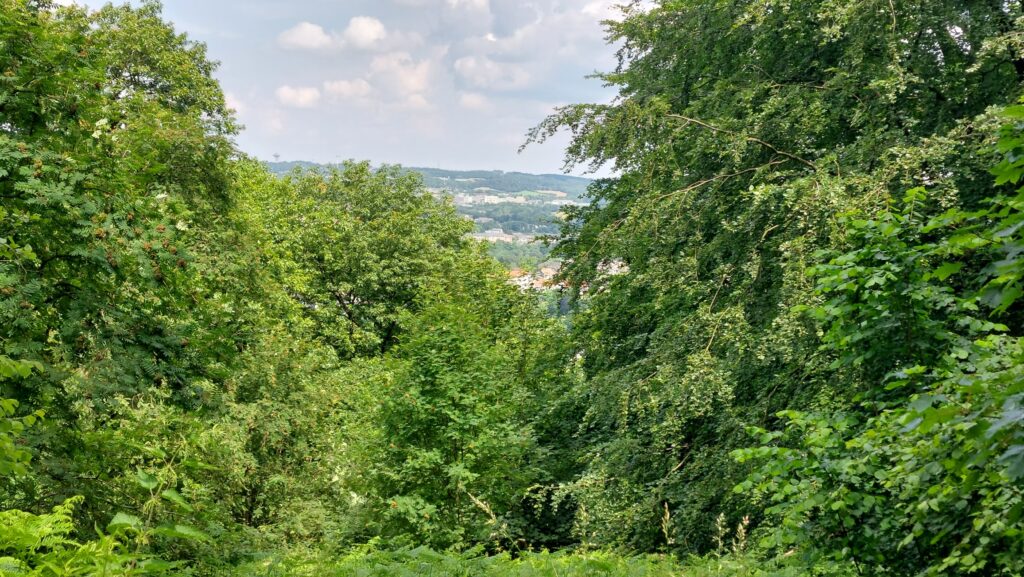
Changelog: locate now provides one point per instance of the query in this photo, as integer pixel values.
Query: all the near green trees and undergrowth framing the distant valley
(795, 345)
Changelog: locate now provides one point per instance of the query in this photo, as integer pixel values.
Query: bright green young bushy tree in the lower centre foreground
(456, 444)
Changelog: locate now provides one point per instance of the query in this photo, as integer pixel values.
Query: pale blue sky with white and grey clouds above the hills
(439, 84)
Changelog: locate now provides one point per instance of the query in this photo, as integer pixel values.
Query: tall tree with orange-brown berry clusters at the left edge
(98, 189)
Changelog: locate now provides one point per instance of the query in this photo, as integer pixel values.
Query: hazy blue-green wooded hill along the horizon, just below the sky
(478, 181)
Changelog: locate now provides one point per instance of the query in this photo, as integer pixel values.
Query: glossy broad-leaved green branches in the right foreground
(924, 476)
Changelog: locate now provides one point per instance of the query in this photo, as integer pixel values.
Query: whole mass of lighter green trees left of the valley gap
(206, 335)
